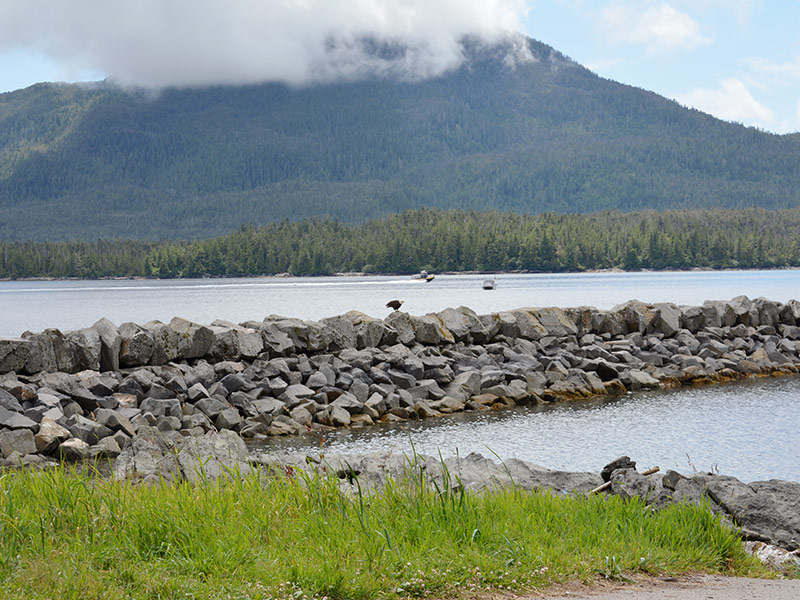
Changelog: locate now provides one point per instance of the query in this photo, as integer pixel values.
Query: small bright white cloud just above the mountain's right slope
(731, 101)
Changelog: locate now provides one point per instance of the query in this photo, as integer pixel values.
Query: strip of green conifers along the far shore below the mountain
(437, 240)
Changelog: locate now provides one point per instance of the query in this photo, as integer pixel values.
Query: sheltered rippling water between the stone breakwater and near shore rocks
(750, 430)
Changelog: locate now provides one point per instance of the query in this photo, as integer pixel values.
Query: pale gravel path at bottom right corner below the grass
(696, 587)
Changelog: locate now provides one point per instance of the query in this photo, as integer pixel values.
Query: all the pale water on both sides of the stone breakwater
(749, 430)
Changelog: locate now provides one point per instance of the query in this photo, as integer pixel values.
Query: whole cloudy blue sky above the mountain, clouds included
(736, 59)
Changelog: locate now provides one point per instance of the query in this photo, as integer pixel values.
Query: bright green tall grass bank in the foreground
(68, 535)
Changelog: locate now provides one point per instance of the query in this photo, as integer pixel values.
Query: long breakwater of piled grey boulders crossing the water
(90, 392)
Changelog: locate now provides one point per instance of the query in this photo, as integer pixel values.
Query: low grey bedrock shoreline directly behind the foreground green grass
(766, 513)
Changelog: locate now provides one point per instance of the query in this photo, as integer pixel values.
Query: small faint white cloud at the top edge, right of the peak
(659, 28)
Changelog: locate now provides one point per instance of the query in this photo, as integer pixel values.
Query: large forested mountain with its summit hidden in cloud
(82, 162)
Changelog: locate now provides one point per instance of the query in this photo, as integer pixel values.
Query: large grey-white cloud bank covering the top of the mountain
(198, 42)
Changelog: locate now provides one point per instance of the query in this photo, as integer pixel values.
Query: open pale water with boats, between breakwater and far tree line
(36, 305)
